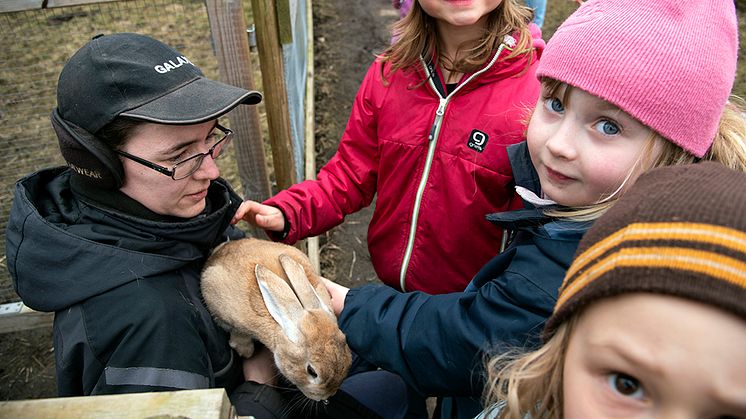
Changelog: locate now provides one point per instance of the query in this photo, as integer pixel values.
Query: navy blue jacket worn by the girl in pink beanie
(438, 343)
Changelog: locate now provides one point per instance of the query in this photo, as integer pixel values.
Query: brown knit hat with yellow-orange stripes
(680, 230)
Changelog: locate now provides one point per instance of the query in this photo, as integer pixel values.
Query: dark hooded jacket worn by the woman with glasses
(124, 288)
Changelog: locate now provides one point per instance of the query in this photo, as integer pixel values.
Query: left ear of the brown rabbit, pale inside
(281, 302)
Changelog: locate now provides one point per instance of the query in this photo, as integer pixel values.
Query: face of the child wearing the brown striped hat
(655, 356)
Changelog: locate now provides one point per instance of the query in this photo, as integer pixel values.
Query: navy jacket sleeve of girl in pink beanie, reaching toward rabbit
(438, 343)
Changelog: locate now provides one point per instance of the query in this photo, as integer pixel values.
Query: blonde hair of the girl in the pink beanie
(728, 148)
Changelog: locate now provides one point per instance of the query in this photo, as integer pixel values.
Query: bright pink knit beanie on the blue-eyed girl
(668, 63)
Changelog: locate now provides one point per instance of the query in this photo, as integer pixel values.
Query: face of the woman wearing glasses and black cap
(167, 145)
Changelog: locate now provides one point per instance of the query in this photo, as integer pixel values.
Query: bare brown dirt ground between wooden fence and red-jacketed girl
(347, 34)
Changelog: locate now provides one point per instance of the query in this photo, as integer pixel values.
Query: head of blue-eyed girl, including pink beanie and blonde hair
(627, 87)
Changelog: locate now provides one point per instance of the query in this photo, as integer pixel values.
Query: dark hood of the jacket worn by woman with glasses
(61, 250)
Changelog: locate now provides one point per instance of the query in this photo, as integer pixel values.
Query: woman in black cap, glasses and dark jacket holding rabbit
(114, 243)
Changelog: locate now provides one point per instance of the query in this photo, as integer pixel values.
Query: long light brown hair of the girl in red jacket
(416, 36)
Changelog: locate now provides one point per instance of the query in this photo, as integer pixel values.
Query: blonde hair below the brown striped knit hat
(530, 383)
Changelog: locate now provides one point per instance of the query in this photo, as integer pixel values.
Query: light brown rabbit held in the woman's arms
(243, 289)
